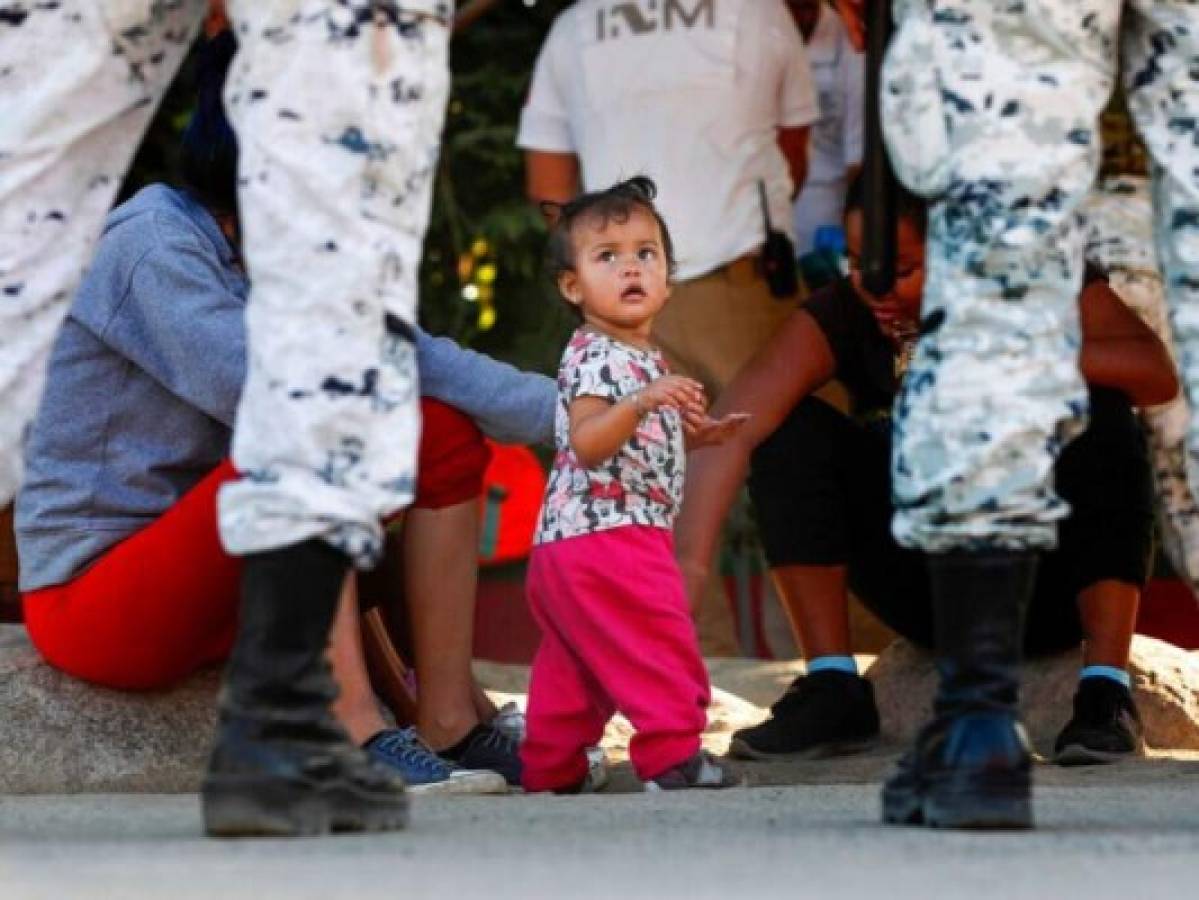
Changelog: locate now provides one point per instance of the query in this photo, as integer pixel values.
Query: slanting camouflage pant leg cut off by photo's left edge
(81, 82)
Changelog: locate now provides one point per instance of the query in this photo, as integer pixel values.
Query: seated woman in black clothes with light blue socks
(822, 487)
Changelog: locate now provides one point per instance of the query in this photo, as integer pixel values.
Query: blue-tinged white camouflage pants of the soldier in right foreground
(992, 111)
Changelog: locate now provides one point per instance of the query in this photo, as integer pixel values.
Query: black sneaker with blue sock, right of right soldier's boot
(1106, 727)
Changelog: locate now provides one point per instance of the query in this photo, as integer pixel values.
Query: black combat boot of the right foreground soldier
(972, 765)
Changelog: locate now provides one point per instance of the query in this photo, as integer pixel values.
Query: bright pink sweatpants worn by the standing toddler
(617, 637)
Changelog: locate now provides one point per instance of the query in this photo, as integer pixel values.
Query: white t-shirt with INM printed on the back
(690, 93)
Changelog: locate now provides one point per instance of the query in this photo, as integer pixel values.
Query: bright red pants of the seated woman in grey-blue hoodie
(164, 602)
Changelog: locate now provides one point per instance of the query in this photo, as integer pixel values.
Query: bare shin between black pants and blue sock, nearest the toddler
(817, 603)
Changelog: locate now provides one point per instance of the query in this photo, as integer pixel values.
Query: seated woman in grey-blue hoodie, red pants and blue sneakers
(124, 581)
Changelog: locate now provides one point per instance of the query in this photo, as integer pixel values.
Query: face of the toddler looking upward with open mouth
(620, 279)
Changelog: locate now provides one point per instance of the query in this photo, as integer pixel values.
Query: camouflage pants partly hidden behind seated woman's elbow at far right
(1119, 239)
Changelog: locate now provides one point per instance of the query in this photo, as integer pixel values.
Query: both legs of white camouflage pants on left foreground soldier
(339, 108)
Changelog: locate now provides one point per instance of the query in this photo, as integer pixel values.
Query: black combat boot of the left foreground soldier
(282, 766)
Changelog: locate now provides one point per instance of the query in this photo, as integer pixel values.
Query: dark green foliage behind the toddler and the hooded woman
(479, 191)
